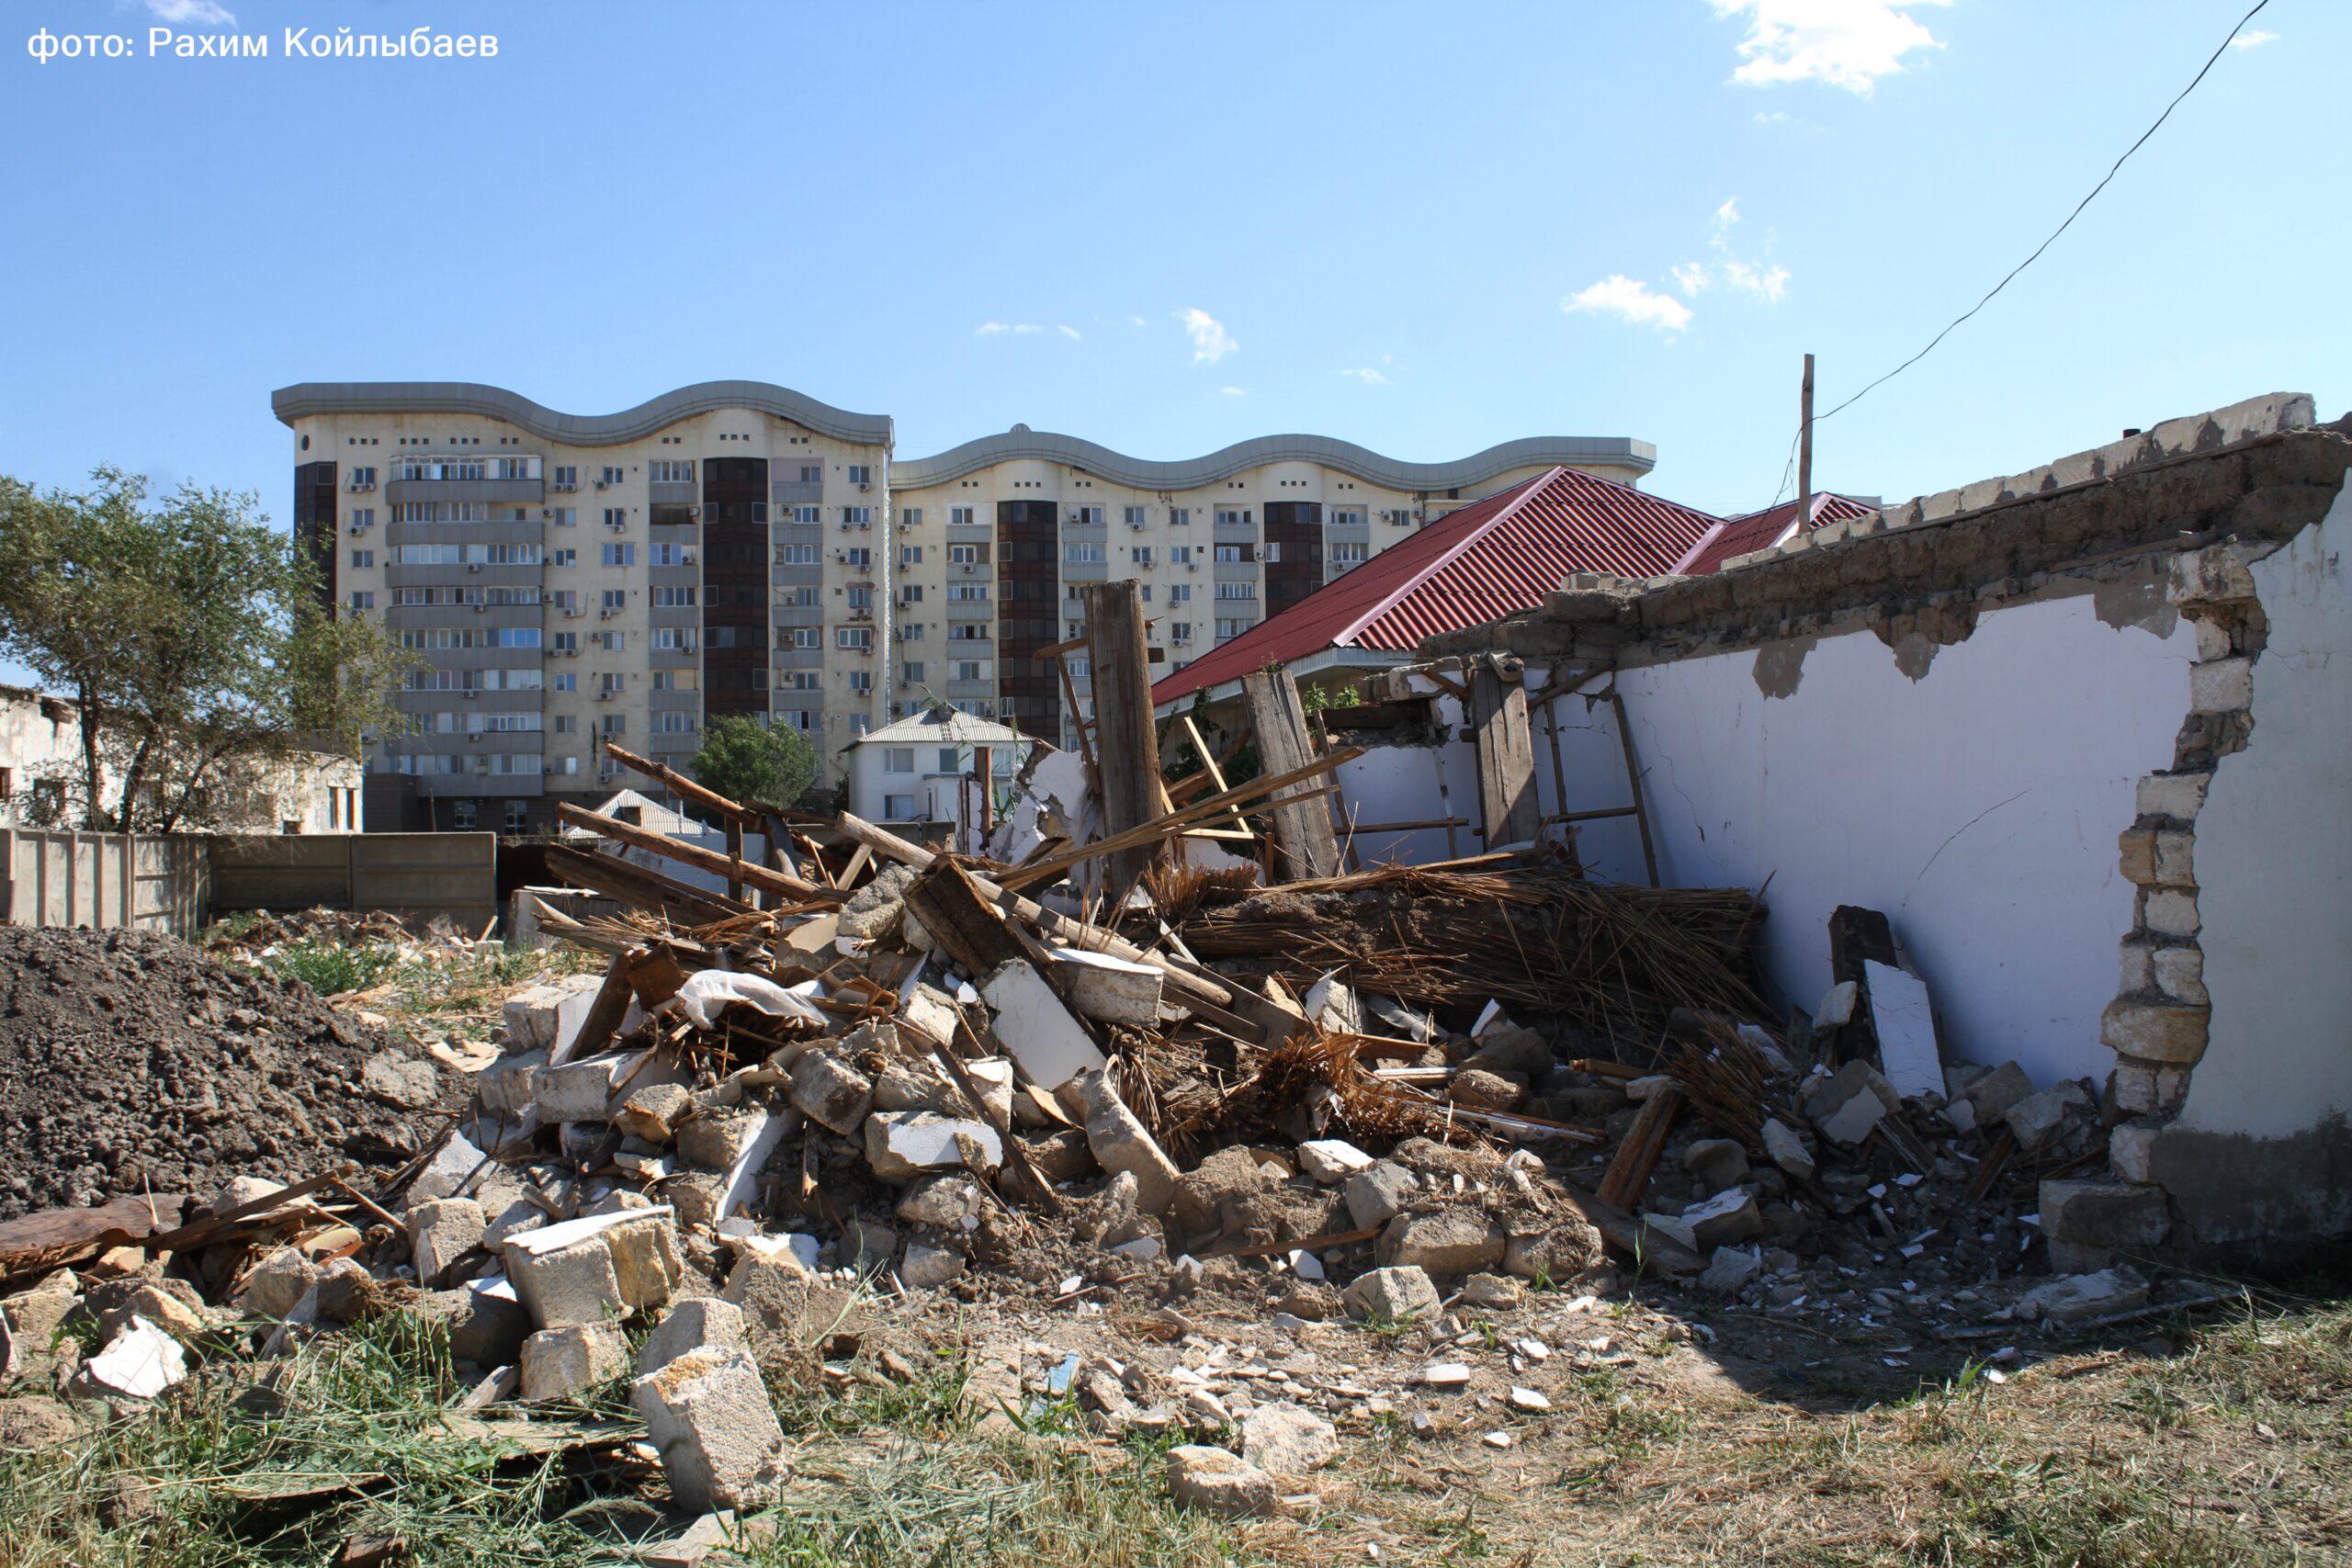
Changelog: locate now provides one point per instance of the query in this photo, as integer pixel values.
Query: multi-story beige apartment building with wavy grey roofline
(737, 547)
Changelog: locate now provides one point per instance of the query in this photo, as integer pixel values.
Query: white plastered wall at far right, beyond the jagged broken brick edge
(2276, 864)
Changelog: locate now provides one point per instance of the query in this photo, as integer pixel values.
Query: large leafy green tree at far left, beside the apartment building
(196, 641)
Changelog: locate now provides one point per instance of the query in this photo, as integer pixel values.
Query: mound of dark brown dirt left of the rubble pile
(133, 1061)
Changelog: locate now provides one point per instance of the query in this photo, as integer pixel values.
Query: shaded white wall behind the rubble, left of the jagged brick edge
(1977, 810)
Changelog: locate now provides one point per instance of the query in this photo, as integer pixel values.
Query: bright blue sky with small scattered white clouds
(1172, 227)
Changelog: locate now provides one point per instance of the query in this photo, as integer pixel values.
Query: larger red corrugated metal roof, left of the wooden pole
(1483, 563)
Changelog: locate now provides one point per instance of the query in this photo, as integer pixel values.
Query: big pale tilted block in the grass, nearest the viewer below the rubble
(711, 1423)
